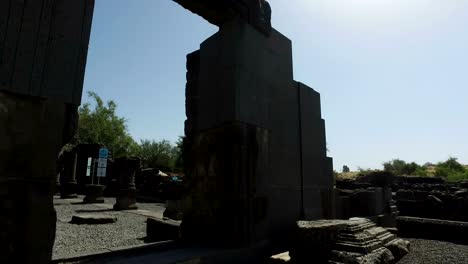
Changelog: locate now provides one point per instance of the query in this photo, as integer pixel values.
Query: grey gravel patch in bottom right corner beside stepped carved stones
(435, 252)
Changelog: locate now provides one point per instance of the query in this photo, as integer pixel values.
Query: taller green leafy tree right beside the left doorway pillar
(102, 125)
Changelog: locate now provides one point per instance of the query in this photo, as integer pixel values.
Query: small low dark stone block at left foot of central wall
(162, 229)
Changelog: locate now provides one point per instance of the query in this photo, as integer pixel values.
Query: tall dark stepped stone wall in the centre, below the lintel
(257, 140)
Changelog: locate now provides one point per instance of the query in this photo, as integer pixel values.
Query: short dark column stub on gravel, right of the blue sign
(126, 169)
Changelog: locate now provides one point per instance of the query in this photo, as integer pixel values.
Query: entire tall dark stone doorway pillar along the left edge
(43, 51)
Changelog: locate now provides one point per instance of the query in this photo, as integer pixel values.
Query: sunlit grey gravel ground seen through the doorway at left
(71, 239)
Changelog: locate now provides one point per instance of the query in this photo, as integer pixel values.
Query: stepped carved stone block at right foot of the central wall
(357, 240)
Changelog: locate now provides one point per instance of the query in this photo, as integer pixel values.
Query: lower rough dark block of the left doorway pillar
(32, 131)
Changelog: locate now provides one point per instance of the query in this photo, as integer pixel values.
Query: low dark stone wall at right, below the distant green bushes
(427, 197)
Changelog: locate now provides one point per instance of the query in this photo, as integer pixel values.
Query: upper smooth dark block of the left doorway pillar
(44, 47)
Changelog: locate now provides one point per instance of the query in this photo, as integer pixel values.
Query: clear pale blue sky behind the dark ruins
(392, 74)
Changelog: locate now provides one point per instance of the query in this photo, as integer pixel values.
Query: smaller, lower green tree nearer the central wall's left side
(153, 154)
